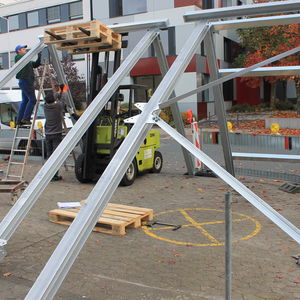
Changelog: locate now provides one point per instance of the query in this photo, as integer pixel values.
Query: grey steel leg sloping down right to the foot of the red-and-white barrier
(163, 64)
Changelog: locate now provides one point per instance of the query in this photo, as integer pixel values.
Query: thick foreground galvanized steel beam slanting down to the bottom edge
(69, 247)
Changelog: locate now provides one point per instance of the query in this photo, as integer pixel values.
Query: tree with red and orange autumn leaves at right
(261, 43)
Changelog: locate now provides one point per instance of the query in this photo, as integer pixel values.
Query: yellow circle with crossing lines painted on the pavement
(236, 217)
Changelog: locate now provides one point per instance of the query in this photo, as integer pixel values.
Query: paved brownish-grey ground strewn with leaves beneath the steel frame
(159, 263)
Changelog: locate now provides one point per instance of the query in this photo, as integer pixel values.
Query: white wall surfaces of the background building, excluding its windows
(157, 9)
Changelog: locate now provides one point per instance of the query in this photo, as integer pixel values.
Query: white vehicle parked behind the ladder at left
(10, 101)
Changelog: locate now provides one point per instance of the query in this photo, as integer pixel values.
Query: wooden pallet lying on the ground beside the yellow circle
(114, 219)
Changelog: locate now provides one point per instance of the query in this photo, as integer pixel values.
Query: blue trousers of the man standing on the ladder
(28, 99)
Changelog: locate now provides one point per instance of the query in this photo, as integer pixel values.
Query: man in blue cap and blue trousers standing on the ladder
(26, 84)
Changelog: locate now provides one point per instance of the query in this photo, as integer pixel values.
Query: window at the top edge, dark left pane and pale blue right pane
(126, 7)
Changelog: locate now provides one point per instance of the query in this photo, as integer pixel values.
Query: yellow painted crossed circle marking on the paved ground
(158, 232)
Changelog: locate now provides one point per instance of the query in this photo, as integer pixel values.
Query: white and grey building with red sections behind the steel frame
(22, 22)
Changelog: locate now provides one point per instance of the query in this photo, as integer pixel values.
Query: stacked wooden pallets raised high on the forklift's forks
(83, 38)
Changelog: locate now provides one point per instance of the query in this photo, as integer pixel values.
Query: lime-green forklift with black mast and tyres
(108, 131)
